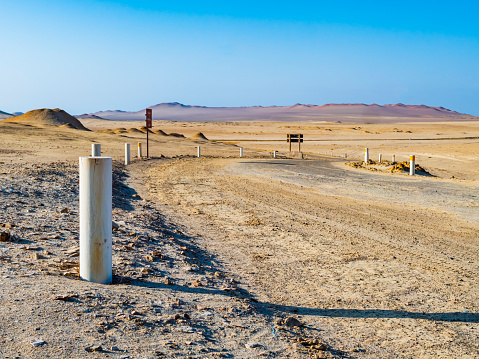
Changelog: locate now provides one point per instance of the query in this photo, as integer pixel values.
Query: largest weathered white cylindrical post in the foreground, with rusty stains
(96, 219)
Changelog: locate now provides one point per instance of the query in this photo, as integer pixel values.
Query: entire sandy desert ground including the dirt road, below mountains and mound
(218, 256)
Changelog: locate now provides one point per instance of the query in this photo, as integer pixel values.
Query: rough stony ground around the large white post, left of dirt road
(170, 297)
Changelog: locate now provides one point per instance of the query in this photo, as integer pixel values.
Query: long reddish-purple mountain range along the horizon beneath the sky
(347, 112)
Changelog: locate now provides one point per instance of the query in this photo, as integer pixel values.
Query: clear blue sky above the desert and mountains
(86, 56)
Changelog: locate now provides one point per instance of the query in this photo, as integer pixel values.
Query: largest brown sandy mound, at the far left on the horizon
(48, 117)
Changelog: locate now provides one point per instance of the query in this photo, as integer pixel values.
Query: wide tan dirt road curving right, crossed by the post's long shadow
(379, 264)
